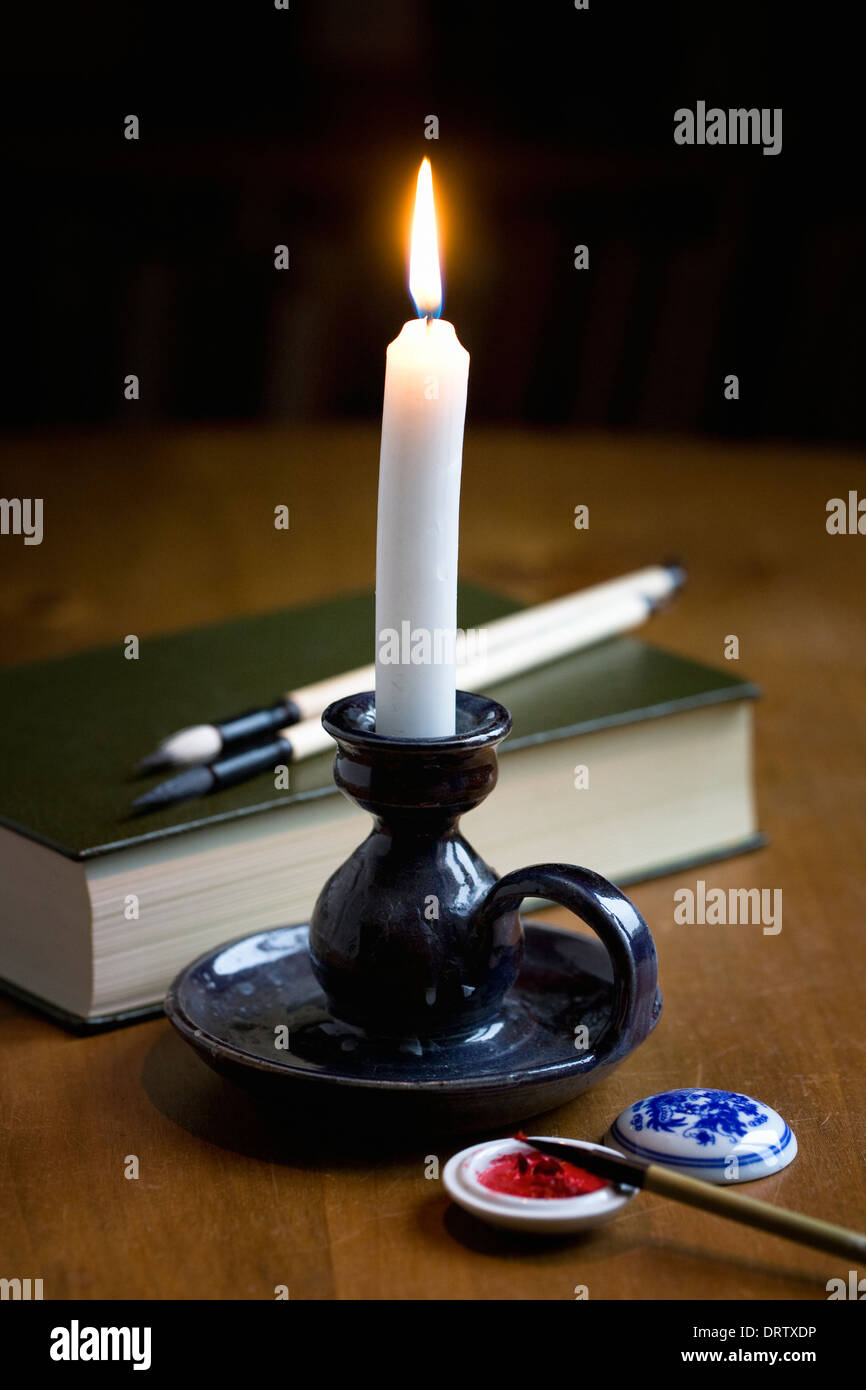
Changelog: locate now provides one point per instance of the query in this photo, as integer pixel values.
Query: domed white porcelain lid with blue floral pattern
(721, 1136)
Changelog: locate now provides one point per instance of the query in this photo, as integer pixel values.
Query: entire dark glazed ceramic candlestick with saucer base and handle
(440, 1010)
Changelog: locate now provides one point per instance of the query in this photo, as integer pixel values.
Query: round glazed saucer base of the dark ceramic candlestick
(254, 1011)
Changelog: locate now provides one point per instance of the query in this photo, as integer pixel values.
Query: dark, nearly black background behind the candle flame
(263, 127)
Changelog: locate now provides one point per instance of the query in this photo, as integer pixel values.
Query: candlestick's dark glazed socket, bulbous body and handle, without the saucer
(415, 936)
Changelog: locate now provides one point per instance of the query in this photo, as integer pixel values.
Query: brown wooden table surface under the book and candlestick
(155, 533)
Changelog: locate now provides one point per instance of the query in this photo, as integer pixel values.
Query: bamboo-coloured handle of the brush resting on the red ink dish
(808, 1231)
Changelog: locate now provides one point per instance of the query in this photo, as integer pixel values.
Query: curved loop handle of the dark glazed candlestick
(637, 1000)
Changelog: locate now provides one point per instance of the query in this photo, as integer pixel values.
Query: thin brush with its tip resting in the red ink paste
(722, 1202)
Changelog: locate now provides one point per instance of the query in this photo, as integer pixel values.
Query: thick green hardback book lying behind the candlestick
(622, 757)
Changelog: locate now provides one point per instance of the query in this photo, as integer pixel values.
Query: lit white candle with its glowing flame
(416, 571)
